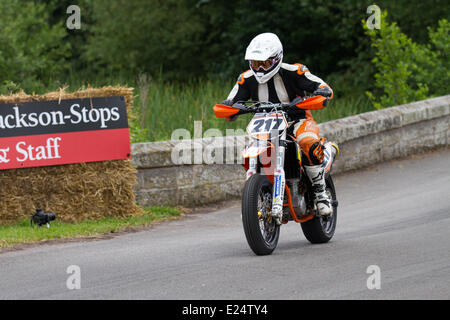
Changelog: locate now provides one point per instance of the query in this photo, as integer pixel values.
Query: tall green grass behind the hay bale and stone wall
(172, 105)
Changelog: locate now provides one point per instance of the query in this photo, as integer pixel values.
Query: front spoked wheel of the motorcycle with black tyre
(260, 228)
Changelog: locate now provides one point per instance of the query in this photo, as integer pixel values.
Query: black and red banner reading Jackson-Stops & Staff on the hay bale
(49, 133)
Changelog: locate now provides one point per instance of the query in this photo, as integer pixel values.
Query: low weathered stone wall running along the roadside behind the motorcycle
(364, 139)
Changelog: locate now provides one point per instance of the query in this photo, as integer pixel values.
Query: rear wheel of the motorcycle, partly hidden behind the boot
(321, 229)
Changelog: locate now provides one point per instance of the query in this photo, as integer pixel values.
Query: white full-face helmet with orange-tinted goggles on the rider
(265, 55)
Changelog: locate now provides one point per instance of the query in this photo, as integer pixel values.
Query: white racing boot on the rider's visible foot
(316, 175)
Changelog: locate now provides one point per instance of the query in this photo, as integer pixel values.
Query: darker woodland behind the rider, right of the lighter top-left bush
(185, 39)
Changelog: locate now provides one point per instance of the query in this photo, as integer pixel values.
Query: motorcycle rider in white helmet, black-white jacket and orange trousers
(271, 80)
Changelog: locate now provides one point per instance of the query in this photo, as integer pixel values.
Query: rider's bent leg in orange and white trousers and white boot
(307, 135)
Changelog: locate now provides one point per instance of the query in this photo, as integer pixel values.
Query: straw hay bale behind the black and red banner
(76, 191)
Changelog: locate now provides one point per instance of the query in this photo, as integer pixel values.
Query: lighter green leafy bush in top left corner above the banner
(32, 52)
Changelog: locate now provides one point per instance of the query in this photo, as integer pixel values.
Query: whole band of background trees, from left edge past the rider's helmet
(186, 39)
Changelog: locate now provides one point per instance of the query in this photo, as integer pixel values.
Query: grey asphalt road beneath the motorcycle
(395, 215)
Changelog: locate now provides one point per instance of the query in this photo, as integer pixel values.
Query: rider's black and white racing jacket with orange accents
(291, 81)
